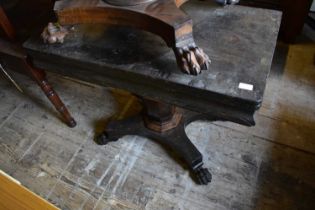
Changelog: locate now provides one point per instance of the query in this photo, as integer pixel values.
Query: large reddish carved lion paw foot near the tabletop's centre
(192, 59)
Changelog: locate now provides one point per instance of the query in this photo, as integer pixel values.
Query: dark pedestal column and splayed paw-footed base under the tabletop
(166, 125)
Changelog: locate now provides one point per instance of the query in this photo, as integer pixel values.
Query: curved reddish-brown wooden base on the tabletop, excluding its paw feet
(77, 12)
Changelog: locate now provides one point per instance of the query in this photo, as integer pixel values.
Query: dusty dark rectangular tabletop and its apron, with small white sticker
(145, 67)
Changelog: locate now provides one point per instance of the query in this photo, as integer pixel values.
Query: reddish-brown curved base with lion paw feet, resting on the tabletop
(161, 17)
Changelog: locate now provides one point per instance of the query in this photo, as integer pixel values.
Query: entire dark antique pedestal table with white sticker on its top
(240, 40)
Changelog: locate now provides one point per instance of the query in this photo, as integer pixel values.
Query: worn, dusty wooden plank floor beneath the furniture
(270, 166)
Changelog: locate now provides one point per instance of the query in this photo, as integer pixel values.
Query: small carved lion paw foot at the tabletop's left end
(54, 33)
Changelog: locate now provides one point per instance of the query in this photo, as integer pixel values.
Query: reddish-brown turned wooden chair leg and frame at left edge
(16, 52)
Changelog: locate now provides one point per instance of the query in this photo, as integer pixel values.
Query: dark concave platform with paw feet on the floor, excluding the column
(175, 139)
